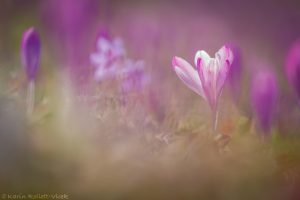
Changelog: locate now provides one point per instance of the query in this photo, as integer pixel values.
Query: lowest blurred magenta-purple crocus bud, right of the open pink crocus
(264, 94)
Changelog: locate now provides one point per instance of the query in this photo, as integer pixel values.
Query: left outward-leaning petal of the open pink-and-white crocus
(188, 75)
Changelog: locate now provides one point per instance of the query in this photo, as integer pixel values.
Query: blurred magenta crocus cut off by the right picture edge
(292, 67)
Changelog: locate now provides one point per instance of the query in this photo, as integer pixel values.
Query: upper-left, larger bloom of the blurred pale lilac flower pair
(109, 53)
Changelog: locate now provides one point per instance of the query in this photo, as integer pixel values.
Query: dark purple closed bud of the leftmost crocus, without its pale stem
(30, 53)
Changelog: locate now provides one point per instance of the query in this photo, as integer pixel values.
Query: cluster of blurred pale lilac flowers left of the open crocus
(110, 62)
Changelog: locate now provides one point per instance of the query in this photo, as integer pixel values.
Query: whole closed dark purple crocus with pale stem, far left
(30, 56)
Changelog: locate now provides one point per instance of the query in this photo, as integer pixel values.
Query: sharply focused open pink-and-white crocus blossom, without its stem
(209, 76)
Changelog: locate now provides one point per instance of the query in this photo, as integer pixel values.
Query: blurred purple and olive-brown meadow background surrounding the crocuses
(88, 140)
